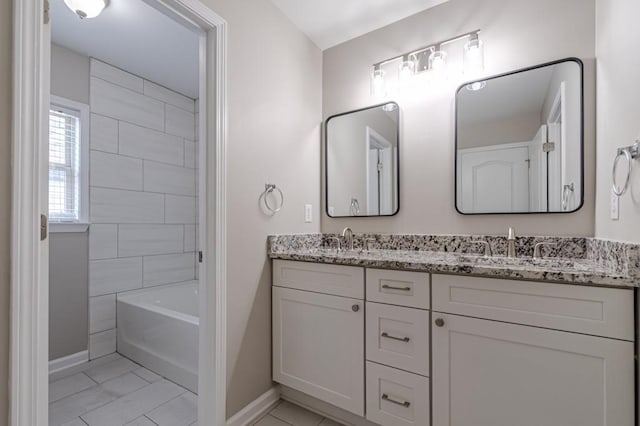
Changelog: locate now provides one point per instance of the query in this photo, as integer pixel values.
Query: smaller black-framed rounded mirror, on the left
(361, 162)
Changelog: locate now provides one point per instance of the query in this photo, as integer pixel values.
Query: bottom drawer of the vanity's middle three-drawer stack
(395, 397)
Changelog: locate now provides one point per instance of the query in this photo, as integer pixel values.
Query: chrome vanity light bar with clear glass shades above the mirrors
(431, 58)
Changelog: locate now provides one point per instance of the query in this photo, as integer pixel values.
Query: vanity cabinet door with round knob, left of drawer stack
(318, 346)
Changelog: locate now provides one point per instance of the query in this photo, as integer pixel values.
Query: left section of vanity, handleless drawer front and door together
(318, 331)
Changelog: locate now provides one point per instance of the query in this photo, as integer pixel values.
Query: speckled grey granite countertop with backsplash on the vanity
(583, 261)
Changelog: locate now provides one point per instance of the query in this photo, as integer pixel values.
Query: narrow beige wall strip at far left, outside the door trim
(6, 37)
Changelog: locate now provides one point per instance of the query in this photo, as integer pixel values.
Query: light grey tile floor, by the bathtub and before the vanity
(115, 391)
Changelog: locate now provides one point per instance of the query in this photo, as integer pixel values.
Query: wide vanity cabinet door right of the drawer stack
(487, 373)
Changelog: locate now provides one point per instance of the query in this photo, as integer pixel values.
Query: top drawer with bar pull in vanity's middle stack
(402, 288)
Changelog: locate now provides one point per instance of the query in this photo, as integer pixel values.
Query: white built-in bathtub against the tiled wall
(158, 328)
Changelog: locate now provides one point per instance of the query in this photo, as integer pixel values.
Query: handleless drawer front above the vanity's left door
(338, 280)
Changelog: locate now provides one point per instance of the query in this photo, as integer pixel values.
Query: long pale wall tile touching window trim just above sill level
(119, 206)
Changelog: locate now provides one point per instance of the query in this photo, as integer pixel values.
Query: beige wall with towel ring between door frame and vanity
(274, 136)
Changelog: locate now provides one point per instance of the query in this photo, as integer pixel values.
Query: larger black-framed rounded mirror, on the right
(519, 141)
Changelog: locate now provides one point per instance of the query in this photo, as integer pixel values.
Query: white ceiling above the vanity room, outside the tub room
(331, 22)
